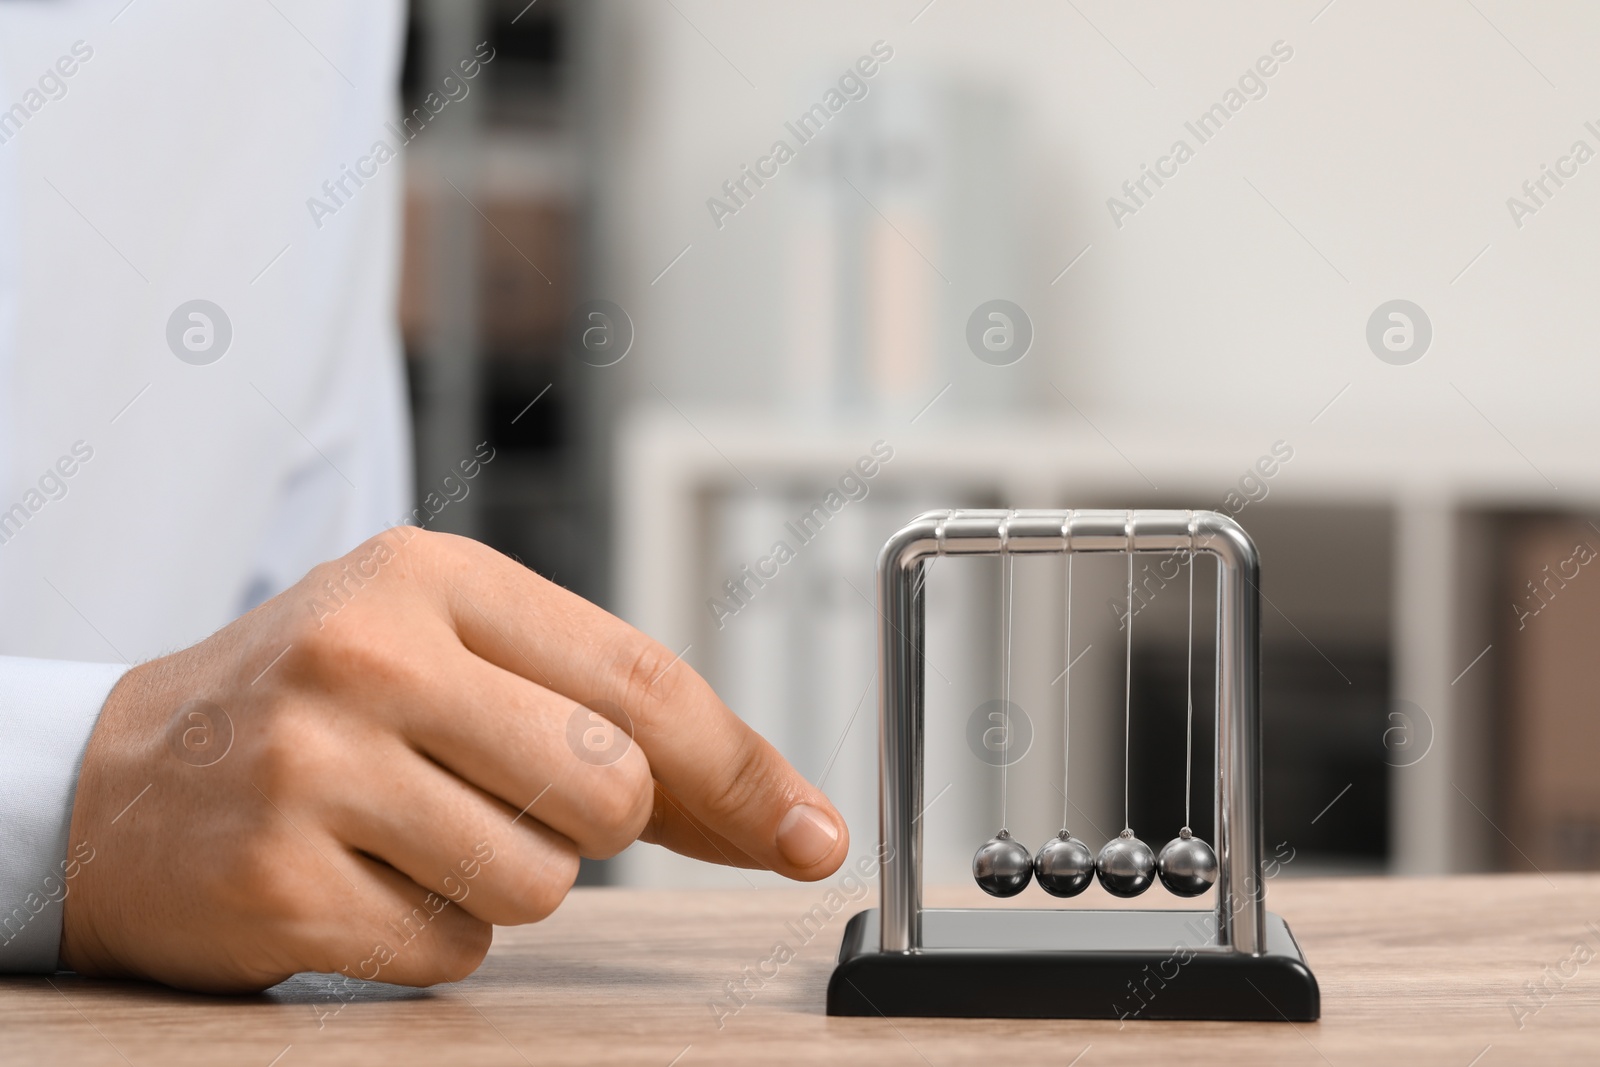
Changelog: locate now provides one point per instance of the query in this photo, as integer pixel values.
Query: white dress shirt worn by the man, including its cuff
(151, 156)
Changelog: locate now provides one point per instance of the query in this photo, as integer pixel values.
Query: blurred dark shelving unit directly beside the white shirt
(492, 260)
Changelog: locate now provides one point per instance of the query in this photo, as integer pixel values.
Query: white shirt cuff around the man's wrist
(47, 714)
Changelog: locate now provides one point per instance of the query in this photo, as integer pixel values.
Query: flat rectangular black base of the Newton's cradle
(1014, 964)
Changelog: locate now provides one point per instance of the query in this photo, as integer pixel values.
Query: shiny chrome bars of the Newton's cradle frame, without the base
(1241, 911)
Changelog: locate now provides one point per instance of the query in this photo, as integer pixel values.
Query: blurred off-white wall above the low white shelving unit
(1391, 143)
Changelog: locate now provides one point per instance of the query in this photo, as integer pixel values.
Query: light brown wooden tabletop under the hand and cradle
(1414, 972)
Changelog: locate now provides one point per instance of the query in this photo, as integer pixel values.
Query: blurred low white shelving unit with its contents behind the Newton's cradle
(1385, 649)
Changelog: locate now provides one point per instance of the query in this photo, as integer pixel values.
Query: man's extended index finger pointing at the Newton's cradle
(726, 775)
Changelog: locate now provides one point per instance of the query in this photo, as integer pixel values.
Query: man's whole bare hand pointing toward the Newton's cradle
(414, 743)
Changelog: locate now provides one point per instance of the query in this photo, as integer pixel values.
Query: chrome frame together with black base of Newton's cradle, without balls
(1234, 962)
